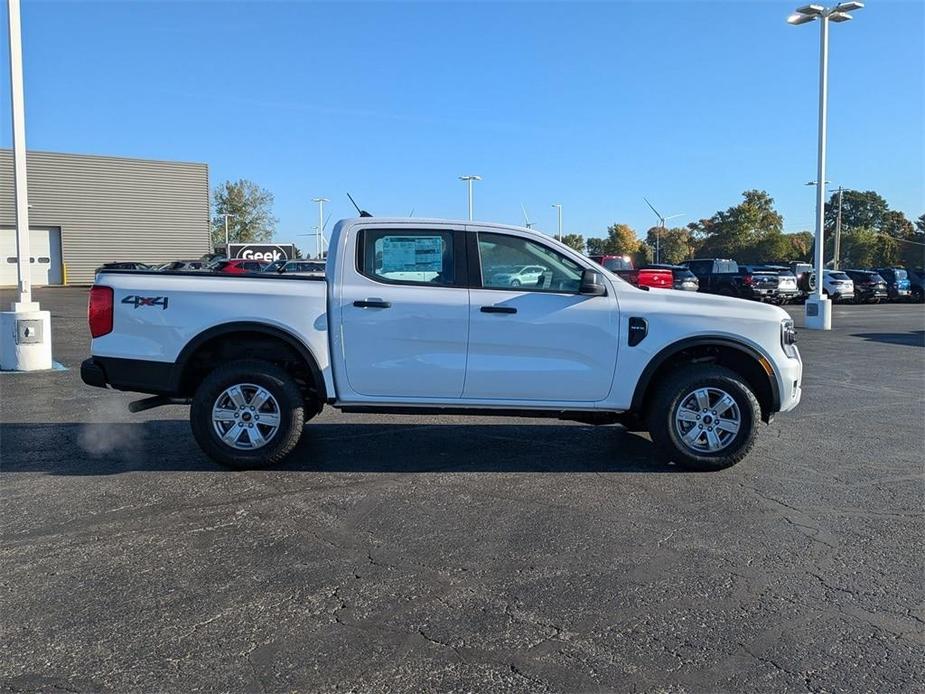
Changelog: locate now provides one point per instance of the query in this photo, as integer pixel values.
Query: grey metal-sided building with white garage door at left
(86, 210)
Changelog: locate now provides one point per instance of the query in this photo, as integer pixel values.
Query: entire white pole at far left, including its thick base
(26, 330)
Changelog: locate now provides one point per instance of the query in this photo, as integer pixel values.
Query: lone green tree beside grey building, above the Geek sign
(250, 210)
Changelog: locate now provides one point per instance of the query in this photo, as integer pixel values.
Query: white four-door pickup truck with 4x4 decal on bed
(421, 316)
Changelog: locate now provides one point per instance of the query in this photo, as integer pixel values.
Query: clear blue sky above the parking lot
(593, 105)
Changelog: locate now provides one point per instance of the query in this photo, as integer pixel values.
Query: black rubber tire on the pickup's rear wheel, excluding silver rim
(291, 412)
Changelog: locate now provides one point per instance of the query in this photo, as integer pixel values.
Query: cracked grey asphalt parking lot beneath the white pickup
(469, 554)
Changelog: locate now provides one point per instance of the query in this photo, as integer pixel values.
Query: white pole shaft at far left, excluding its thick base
(23, 251)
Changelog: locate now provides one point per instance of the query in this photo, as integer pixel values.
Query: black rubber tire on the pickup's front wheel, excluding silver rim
(671, 394)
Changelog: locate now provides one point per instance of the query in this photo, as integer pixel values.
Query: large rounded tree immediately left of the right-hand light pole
(745, 231)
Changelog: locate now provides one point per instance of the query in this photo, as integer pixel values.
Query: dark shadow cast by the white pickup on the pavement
(168, 446)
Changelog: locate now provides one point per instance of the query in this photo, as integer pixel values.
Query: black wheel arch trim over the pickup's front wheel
(741, 357)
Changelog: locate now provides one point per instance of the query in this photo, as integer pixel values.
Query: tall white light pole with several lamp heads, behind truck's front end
(818, 307)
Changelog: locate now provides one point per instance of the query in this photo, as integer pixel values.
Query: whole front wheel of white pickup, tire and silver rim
(704, 417)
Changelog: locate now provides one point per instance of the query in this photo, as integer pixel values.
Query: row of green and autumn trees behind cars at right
(872, 235)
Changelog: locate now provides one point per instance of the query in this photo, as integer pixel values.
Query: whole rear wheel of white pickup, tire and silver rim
(247, 413)
